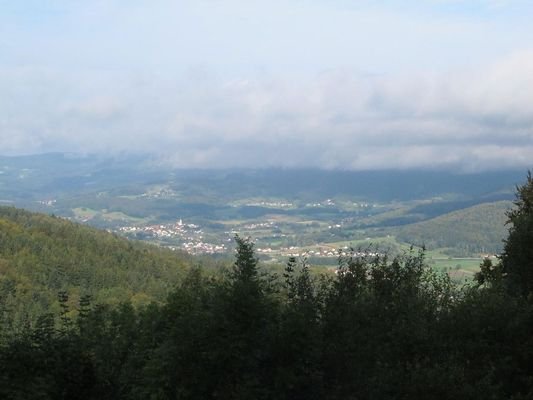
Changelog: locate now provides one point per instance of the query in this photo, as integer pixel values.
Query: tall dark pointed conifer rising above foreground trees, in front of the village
(241, 330)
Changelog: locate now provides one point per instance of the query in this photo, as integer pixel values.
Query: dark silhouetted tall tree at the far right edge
(517, 257)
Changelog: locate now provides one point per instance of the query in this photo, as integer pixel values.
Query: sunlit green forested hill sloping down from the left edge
(41, 256)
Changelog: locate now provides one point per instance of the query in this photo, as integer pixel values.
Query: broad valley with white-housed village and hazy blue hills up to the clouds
(460, 219)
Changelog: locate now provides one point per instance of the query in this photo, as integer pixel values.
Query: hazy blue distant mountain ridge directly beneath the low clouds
(56, 172)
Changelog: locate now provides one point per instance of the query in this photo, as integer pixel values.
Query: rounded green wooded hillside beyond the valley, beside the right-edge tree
(477, 229)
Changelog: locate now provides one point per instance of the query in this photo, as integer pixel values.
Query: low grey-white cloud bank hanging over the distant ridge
(464, 119)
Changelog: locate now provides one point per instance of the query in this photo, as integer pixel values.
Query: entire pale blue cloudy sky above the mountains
(222, 83)
